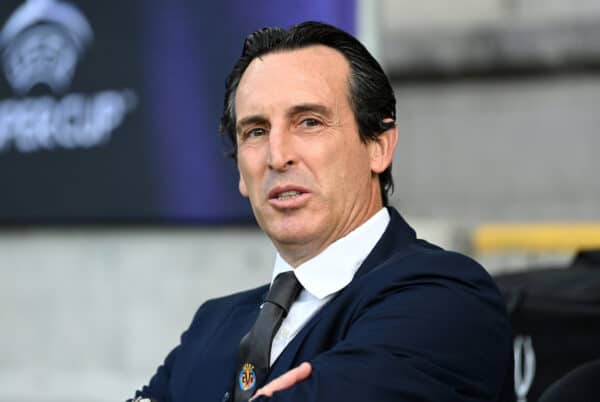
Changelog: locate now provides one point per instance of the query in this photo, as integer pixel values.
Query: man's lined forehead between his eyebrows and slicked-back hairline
(315, 74)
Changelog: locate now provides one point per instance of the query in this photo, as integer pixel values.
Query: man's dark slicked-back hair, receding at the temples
(370, 93)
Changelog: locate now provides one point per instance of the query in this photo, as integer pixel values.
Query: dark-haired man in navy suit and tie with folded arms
(381, 315)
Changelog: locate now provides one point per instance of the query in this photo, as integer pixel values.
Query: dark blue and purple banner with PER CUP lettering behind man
(109, 110)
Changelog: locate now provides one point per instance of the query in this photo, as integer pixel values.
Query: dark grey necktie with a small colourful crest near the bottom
(255, 346)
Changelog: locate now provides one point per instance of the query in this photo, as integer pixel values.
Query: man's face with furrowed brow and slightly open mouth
(309, 178)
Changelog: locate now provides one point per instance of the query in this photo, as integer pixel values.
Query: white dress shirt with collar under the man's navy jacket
(326, 274)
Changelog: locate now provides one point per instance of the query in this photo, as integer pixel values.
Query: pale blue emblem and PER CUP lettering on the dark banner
(42, 42)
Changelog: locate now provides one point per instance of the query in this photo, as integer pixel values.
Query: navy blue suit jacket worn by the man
(416, 323)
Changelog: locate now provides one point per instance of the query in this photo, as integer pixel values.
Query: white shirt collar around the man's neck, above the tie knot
(334, 268)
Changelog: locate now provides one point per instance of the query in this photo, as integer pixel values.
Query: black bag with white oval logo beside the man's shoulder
(555, 314)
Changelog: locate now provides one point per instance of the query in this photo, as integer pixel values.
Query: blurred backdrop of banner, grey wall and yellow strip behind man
(119, 213)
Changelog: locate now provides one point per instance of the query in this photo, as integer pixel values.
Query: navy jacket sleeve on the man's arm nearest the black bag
(424, 340)
